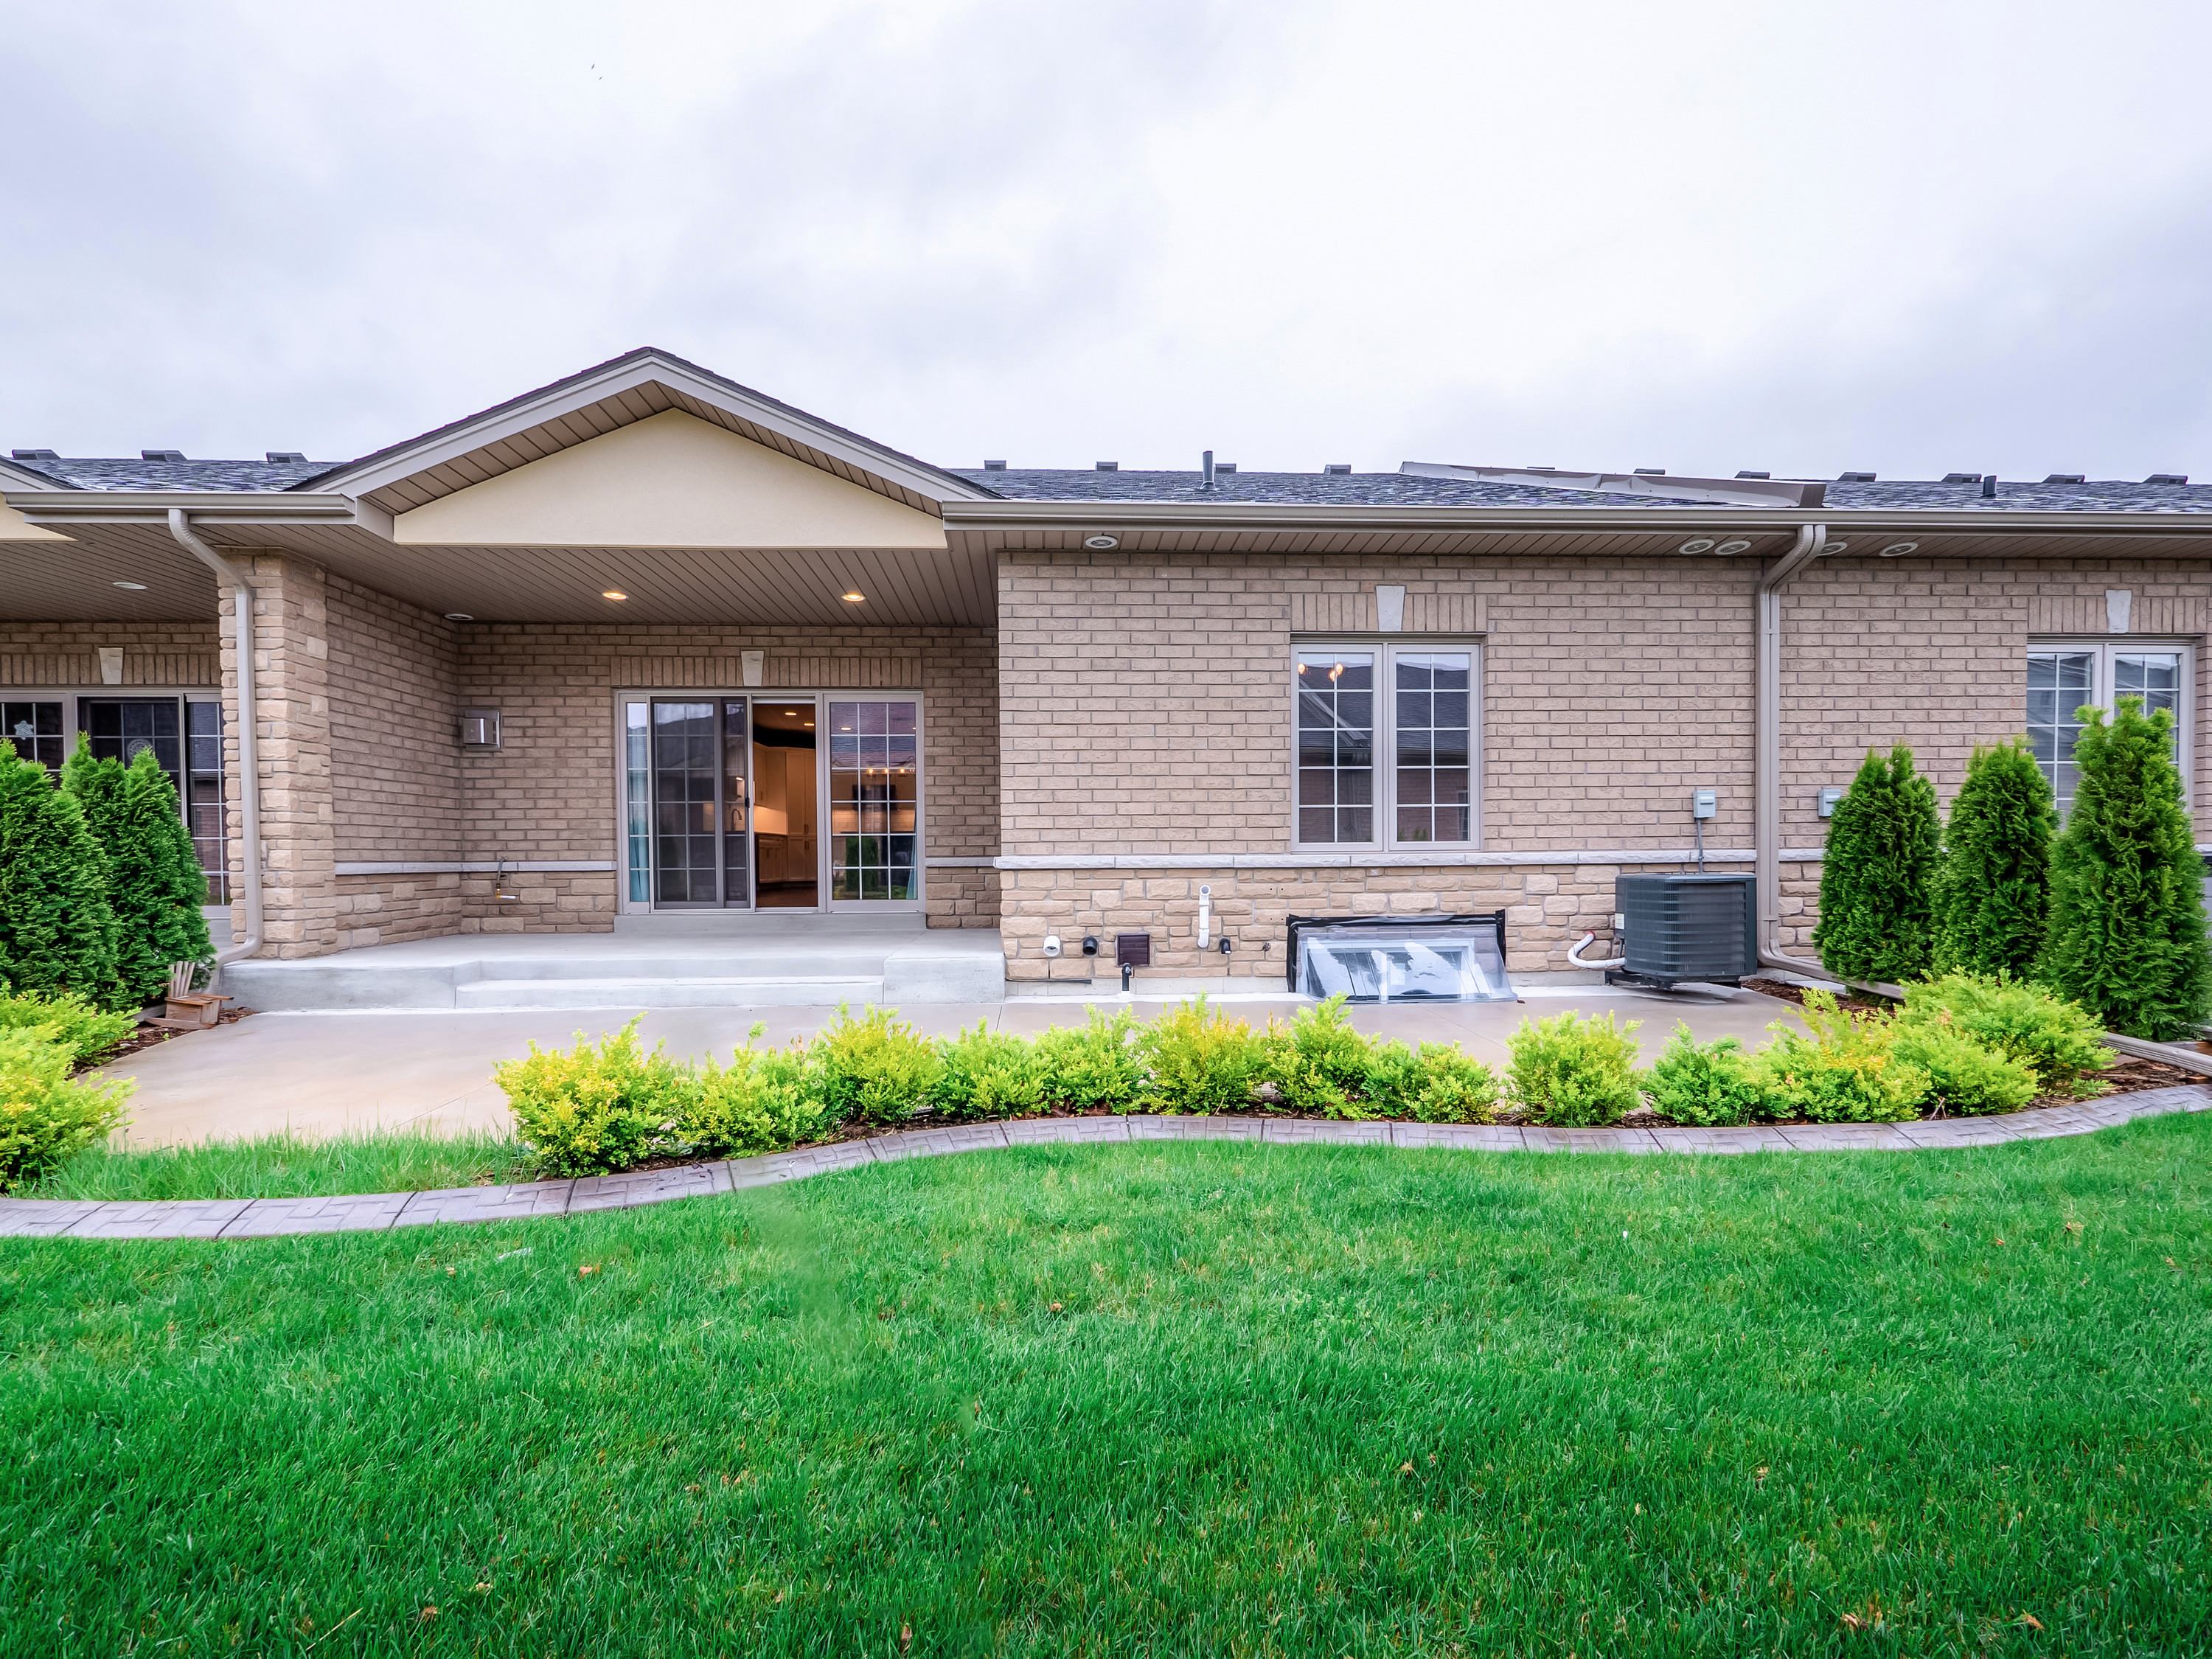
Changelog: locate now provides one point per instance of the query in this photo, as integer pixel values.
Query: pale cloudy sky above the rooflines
(1906, 238)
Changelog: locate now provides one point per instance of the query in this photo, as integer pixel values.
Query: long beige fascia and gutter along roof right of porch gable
(1691, 521)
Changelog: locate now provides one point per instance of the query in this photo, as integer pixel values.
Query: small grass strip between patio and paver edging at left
(286, 1167)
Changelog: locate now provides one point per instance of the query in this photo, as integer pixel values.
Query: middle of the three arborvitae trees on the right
(1994, 893)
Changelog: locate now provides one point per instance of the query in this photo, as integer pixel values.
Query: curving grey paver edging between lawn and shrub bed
(388, 1211)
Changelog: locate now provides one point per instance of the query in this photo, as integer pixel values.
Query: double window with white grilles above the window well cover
(1388, 742)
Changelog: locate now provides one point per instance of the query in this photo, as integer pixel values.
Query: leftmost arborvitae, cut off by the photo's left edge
(56, 928)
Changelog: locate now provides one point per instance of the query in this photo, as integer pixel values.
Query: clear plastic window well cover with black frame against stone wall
(1401, 959)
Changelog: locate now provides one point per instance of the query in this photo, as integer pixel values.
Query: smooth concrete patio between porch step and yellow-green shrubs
(331, 1072)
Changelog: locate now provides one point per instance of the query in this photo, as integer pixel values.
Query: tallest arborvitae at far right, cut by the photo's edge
(2127, 884)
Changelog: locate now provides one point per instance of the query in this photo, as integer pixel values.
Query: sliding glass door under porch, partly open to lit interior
(740, 804)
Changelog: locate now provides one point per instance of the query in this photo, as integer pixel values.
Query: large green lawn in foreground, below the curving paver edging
(1211, 1399)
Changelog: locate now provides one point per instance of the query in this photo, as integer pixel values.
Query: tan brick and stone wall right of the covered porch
(1149, 716)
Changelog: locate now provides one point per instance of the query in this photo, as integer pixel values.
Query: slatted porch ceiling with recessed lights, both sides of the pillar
(769, 587)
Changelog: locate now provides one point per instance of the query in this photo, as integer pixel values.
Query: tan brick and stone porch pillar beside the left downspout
(300, 893)
